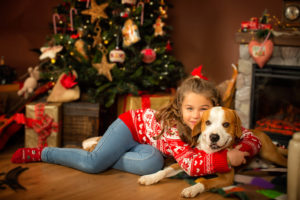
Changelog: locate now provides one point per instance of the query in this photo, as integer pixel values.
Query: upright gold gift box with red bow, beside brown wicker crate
(43, 125)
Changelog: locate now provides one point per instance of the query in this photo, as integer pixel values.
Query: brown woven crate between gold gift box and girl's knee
(80, 121)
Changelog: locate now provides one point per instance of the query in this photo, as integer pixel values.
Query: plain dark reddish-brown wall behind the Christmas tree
(204, 31)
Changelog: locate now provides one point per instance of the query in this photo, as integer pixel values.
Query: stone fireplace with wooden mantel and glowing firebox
(265, 97)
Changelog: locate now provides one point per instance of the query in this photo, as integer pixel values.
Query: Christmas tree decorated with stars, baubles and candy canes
(116, 47)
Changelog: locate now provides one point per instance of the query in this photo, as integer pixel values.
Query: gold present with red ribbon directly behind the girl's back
(154, 101)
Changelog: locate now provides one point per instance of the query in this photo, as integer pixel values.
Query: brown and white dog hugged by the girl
(217, 130)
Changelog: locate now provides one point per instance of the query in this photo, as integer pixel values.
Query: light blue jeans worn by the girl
(116, 149)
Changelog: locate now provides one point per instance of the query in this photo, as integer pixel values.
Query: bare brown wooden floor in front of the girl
(49, 181)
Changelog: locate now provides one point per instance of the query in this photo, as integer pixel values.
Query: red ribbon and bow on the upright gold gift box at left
(43, 124)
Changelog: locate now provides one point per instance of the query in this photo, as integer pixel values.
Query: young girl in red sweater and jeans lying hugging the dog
(124, 144)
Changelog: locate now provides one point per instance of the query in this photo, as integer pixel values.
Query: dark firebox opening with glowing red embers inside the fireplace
(275, 101)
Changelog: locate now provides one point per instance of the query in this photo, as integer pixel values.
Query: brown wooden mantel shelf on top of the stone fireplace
(280, 38)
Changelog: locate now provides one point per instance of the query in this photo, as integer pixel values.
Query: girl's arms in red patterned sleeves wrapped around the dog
(198, 163)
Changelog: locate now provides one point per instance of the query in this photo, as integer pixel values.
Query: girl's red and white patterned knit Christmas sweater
(194, 162)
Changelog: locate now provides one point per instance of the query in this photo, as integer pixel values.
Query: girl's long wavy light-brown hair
(171, 116)
